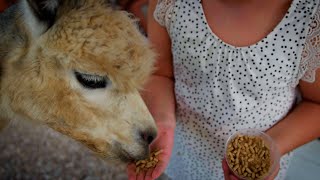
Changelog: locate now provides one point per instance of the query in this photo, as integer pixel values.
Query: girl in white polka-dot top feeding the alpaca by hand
(226, 65)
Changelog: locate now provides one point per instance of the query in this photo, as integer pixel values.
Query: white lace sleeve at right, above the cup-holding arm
(310, 59)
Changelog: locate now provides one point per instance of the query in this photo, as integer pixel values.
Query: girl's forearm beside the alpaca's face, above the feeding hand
(158, 95)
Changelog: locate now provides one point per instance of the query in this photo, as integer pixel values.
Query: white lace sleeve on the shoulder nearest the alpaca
(163, 12)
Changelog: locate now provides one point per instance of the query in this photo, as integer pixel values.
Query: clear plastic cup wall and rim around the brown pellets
(274, 153)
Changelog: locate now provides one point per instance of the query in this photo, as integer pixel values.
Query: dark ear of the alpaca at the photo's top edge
(44, 11)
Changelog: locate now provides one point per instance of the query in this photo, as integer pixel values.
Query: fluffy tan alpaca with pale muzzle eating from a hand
(77, 66)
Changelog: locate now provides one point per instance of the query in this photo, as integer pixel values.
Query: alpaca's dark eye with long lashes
(91, 81)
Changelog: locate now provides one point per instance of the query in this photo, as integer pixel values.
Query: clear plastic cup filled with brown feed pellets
(251, 154)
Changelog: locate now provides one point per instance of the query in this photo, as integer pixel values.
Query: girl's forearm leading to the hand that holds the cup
(301, 126)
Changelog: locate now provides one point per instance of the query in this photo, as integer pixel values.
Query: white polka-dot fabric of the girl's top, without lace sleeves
(221, 88)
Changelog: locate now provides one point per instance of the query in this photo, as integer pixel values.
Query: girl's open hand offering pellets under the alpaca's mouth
(164, 142)
